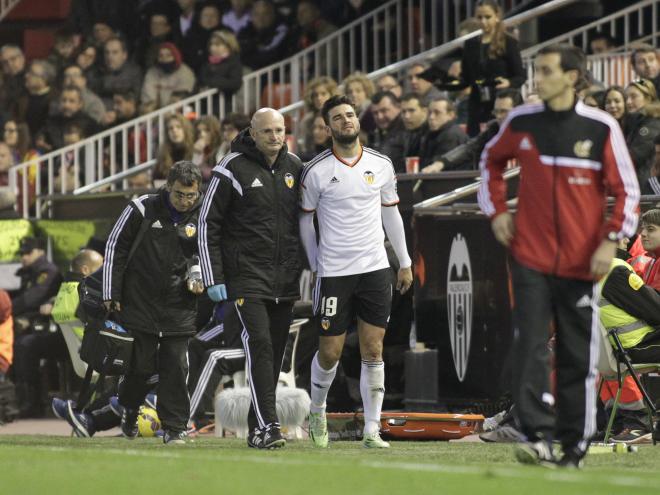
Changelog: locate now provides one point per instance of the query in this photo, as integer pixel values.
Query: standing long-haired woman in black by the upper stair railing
(490, 61)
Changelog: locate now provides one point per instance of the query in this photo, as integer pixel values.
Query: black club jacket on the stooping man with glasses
(152, 288)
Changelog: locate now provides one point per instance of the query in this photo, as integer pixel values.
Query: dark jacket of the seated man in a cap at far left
(39, 282)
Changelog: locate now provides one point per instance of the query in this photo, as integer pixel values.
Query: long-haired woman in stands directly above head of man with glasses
(178, 145)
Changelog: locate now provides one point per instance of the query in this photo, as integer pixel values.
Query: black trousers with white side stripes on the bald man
(264, 330)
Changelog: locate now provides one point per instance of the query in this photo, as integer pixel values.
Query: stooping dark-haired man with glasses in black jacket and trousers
(154, 295)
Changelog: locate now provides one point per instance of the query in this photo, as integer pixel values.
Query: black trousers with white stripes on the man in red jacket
(539, 300)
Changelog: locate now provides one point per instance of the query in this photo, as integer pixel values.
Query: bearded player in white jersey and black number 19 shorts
(352, 190)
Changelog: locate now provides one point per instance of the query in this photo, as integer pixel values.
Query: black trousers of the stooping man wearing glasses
(168, 357)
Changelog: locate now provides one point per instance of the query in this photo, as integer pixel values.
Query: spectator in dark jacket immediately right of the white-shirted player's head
(388, 137)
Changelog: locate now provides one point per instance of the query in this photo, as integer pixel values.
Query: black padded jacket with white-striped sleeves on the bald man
(249, 234)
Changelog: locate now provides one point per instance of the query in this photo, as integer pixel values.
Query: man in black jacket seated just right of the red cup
(443, 136)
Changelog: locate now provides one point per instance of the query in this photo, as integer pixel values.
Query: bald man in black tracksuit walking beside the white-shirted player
(249, 250)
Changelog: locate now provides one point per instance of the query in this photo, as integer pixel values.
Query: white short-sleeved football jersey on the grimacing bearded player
(347, 198)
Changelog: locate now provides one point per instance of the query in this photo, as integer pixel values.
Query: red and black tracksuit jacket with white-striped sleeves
(570, 162)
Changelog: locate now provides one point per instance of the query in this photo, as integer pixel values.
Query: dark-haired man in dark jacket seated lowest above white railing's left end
(71, 105)
